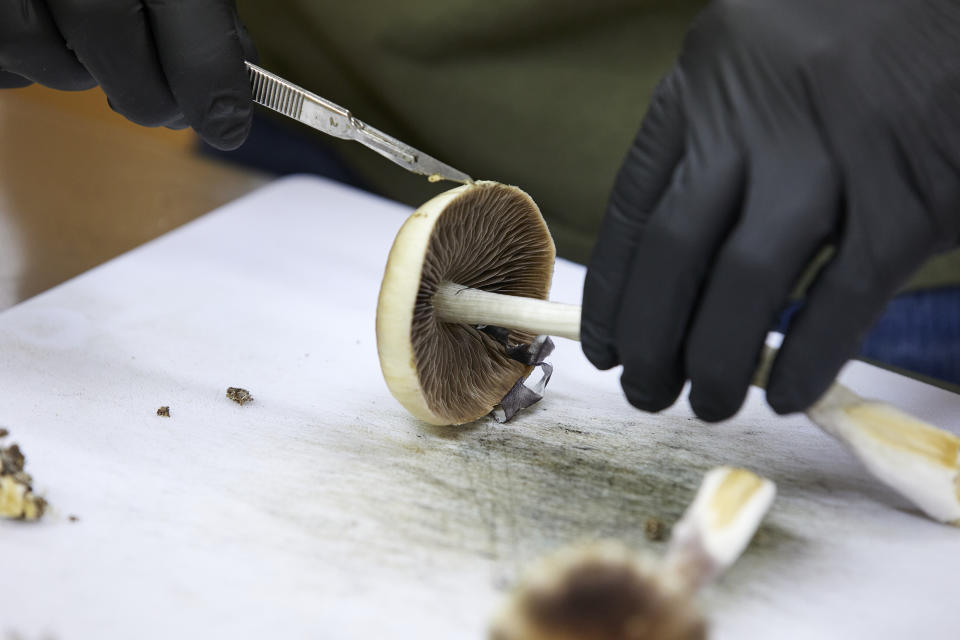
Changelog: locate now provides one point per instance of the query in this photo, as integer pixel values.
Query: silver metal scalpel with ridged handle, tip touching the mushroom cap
(273, 92)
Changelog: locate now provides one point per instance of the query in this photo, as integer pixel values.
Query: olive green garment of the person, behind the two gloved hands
(543, 94)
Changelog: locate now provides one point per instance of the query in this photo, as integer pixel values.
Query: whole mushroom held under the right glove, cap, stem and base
(481, 255)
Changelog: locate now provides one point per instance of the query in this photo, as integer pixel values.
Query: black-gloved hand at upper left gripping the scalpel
(161, 63)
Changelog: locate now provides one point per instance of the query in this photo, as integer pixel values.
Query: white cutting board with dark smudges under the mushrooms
(323, 510)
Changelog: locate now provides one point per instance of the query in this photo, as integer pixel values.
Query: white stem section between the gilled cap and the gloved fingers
(459, 304)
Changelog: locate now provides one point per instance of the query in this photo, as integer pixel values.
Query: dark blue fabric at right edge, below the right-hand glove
(918, 331)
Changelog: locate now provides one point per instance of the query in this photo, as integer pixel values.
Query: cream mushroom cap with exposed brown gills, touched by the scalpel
(483, 235)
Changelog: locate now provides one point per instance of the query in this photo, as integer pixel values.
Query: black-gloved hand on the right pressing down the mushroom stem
(786, 126)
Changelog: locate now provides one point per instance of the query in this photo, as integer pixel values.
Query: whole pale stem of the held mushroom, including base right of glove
(916, 459)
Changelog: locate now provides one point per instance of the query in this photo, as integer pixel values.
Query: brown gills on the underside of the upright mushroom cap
(492, 237)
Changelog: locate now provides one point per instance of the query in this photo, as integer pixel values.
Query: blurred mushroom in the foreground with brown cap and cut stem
(605, 591)
